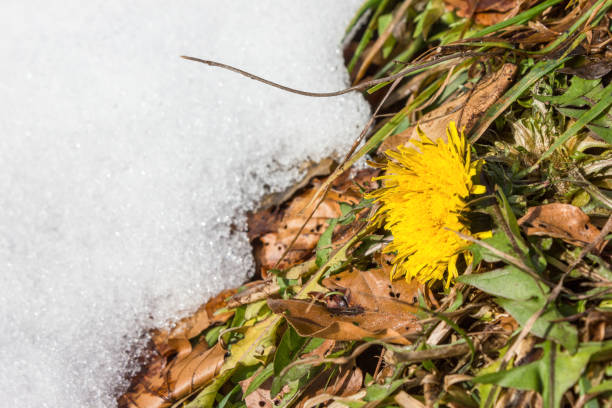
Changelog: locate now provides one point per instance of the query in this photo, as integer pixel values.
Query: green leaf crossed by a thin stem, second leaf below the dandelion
(562, 332)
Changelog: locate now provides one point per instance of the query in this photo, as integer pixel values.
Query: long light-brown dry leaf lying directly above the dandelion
(464, 110)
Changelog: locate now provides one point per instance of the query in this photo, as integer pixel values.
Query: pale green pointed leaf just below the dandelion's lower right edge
(508, 282)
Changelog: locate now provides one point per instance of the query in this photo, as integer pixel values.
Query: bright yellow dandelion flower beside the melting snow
(422, 200)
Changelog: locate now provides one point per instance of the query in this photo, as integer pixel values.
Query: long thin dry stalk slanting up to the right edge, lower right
(553, 295)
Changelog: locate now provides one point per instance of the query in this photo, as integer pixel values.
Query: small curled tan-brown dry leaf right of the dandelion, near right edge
(563, 221)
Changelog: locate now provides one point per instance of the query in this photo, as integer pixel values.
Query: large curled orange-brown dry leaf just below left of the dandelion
(374, 308)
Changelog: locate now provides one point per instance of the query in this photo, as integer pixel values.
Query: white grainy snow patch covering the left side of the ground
(125, 171)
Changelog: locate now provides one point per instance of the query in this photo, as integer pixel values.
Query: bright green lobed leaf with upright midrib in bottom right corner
(537, 376)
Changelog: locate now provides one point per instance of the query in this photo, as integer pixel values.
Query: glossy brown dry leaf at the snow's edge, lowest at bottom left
(161, 387)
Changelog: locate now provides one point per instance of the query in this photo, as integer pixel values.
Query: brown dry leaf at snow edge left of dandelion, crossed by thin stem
(273, 229)
